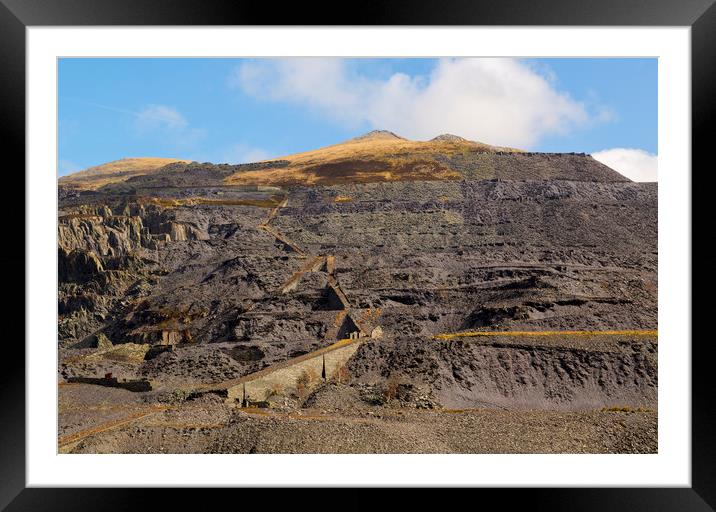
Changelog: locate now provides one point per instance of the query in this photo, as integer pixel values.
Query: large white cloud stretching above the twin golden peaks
(498, 101)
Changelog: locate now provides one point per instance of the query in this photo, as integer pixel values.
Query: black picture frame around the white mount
(700, 15)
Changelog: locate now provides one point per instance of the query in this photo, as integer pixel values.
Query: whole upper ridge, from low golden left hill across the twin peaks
(378, 156)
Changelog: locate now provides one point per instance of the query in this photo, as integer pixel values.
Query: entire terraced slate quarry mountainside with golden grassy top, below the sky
(446, 274)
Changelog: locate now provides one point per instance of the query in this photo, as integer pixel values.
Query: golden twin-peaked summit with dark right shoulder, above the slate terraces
(383, 156)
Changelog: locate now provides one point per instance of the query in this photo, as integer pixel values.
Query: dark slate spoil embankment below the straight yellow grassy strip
(523, 372)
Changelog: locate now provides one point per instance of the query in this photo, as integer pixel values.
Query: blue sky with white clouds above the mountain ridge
(237, 110)
